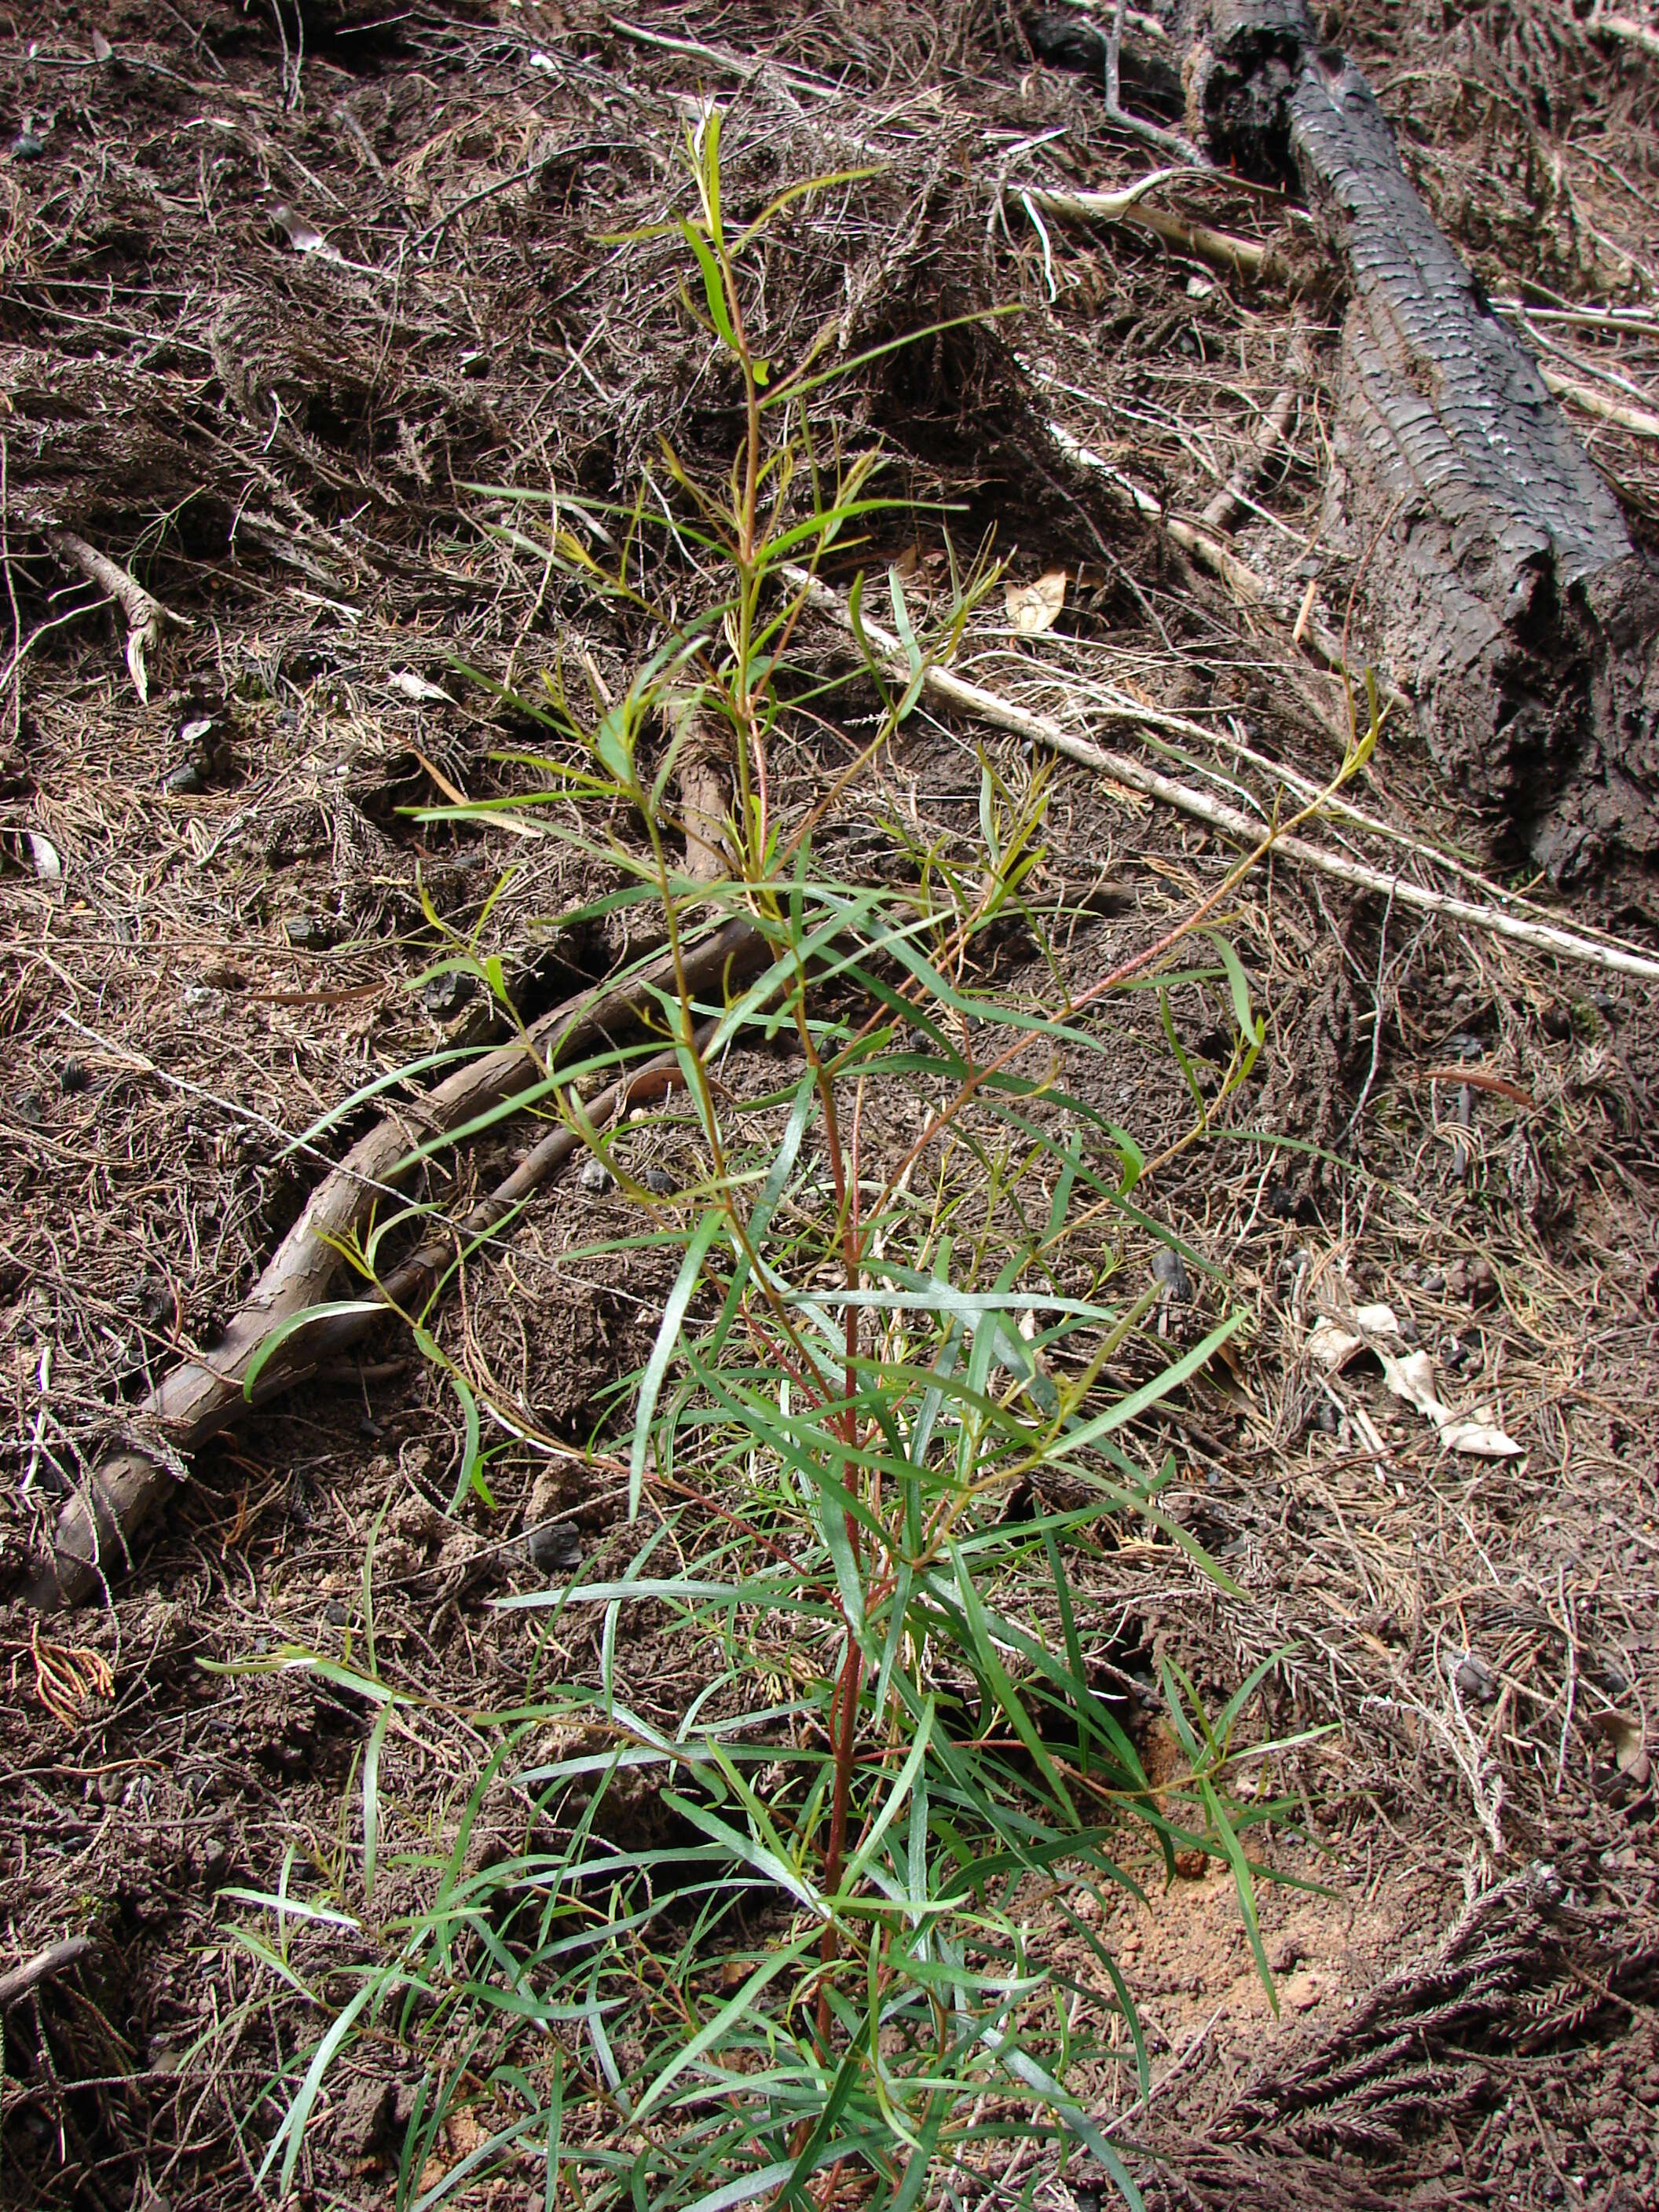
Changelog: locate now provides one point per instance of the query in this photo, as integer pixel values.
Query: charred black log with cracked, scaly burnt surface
(1499, 581)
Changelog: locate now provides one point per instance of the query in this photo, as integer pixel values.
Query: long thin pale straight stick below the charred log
(1231, 822)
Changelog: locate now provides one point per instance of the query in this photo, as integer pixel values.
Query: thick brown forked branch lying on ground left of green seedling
(207, 1395)
